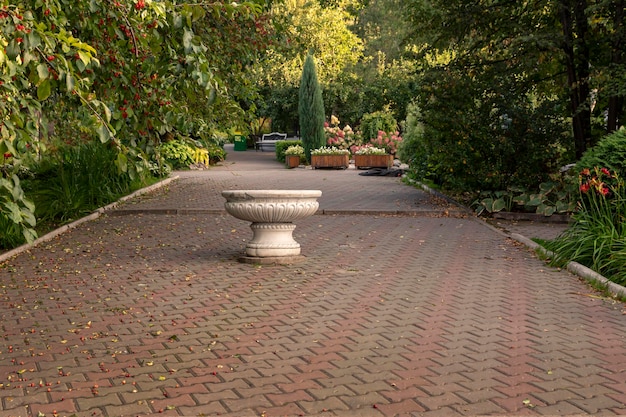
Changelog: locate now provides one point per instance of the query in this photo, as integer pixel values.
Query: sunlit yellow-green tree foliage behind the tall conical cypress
(353, 84)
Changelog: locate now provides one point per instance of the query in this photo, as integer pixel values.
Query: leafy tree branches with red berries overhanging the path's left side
(128, 72)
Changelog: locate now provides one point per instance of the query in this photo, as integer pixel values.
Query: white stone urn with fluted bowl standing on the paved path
(272, 213)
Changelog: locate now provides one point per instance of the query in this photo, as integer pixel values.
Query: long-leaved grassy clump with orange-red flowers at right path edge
(597, 237)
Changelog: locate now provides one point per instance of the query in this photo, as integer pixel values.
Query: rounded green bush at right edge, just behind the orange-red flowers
(609, 152)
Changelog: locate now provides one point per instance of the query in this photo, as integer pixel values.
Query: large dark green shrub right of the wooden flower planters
(507, 138)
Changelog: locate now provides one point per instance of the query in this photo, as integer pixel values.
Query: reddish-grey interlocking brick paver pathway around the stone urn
(403, 306)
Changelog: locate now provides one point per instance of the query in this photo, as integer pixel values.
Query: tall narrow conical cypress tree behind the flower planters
(311, 109)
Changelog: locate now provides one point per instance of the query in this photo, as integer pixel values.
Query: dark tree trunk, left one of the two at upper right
(576, 49)
